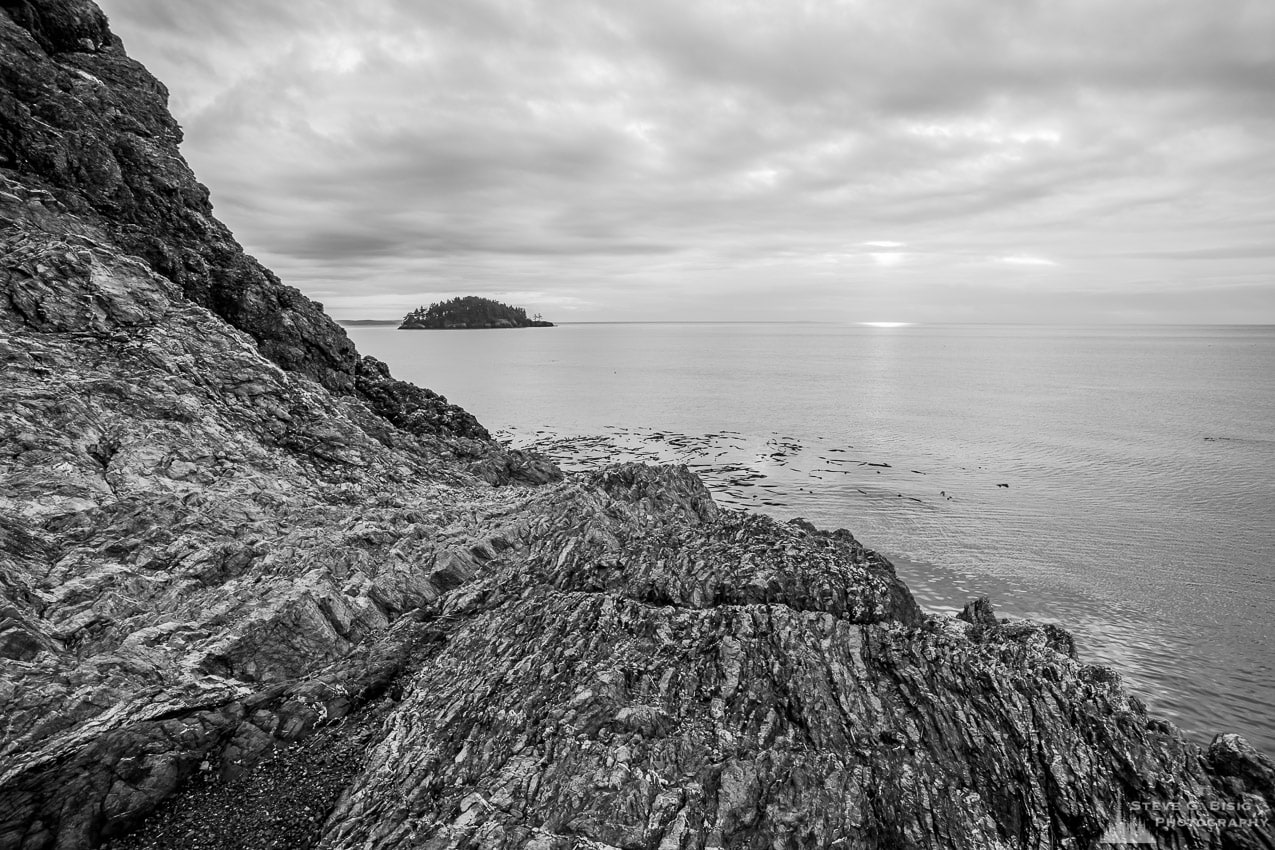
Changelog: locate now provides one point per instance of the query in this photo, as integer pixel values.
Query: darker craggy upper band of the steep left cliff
(91, 127)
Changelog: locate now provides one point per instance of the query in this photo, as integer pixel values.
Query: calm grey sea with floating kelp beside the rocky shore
(1116, 481)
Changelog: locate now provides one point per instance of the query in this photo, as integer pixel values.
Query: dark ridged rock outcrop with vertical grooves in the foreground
(601, 695)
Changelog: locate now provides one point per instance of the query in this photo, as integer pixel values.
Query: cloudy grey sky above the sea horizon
(1021, 161)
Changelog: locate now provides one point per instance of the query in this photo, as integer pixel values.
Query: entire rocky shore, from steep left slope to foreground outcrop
(254, 592)
